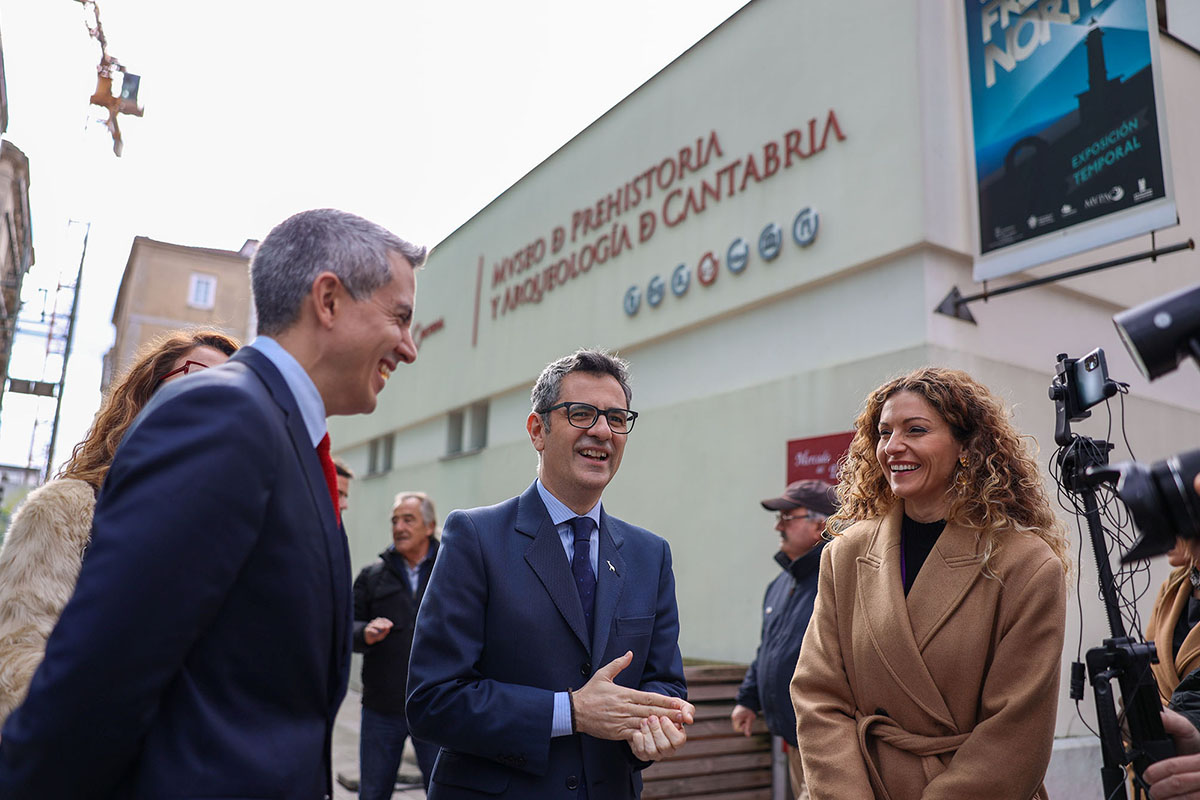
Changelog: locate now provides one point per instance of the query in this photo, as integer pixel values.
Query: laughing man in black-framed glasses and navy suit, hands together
(547, 653)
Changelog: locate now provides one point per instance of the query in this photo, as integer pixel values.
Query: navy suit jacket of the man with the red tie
(207, 647)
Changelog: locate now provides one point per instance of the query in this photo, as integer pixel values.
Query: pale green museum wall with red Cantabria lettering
(725, 375)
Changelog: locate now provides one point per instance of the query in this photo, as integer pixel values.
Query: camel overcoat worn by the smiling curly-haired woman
(947, 694)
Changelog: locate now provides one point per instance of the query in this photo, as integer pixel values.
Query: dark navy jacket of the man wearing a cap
(787, 610)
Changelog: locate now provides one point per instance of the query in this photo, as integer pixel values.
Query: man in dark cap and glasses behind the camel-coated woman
(787, 610)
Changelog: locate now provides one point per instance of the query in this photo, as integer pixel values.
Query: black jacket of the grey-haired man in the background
(382, 590)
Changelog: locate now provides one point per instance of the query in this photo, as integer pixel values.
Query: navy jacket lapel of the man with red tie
(337, 546)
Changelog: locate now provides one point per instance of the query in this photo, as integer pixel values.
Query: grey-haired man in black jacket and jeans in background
(387, 597)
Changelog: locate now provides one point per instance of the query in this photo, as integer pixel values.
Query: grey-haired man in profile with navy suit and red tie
(206, 651)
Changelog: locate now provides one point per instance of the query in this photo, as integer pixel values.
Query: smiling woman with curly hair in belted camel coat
(931, 669)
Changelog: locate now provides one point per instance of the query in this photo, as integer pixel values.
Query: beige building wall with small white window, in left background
(154, 297)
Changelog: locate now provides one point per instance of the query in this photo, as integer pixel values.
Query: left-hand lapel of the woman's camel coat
(881, 598)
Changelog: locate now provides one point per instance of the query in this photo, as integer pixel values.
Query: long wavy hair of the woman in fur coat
(125, 400)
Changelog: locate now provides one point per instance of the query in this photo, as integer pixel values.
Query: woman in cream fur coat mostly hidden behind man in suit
(45, 545)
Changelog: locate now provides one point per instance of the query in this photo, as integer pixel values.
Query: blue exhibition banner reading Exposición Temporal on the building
(1070, 136)
